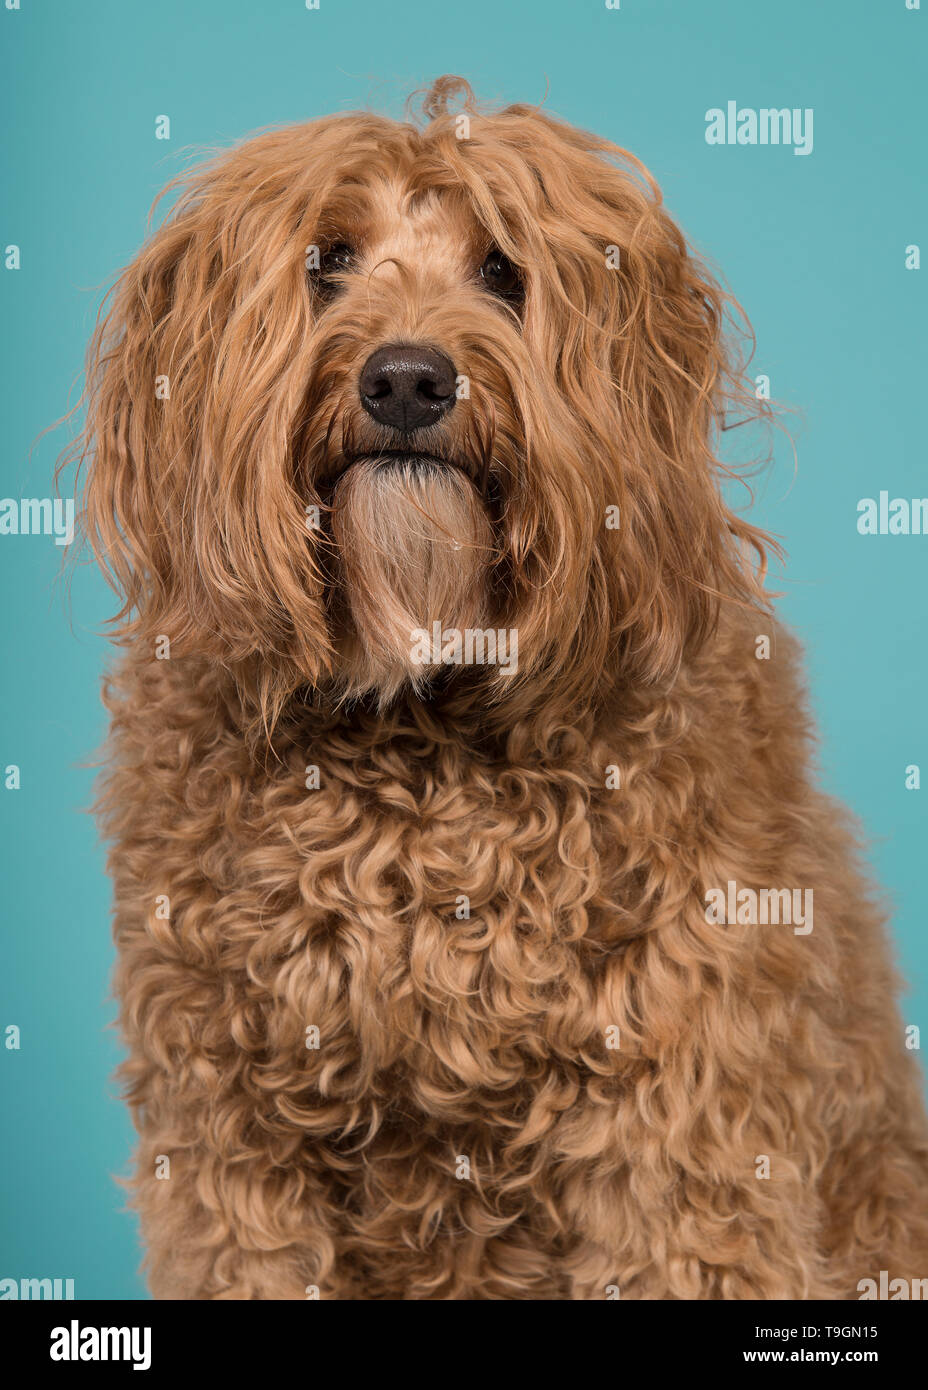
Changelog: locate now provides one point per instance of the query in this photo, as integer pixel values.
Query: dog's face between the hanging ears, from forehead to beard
(415, 437)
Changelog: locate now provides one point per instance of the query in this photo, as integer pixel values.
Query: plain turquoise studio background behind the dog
(815, 250)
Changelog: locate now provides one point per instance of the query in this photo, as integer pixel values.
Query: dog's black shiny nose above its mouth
(408, 387)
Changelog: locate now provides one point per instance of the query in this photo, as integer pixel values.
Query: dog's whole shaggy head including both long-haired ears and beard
(377, 384)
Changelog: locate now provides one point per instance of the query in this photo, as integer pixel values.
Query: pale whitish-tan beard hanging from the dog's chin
(415, 546)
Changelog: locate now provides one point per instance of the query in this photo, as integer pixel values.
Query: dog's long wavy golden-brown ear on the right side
(637, 332)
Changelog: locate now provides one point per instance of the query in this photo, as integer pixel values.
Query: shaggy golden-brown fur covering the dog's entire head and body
(415, 963)
